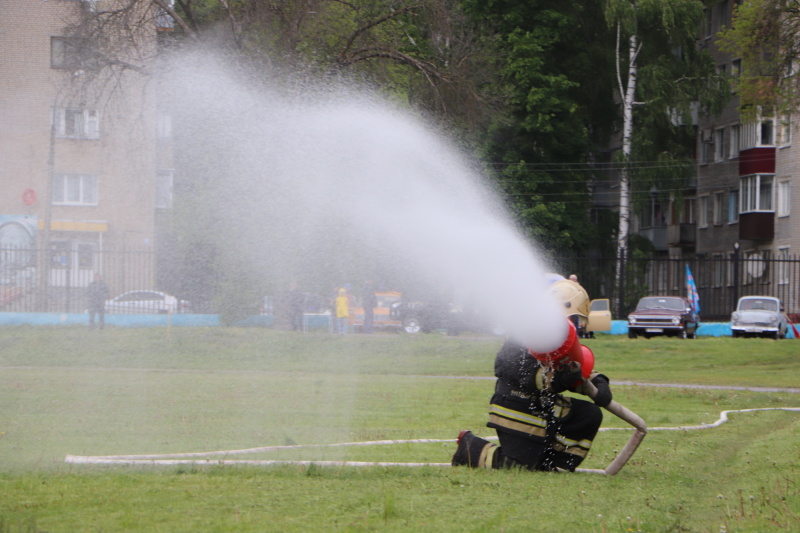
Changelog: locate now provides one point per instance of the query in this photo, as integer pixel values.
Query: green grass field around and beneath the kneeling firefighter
(72, 391)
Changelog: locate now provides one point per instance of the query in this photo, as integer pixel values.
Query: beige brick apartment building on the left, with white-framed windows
(84, 161)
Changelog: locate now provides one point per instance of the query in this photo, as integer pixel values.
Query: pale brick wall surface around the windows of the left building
(122, 157)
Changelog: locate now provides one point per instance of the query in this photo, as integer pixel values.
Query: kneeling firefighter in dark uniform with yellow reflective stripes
(539, 428)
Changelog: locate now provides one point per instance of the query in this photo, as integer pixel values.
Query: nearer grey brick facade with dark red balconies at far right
(746, 203)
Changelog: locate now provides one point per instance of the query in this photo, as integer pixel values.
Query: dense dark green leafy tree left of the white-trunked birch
(556, 92)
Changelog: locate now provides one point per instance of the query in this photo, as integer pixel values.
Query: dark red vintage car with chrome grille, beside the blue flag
(663, 315)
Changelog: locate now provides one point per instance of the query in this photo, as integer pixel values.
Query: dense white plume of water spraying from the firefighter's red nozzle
(320, 171)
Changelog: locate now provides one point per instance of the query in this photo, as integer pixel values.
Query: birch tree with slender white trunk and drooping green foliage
(665, 74)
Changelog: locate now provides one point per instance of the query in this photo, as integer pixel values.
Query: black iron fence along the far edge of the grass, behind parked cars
(55, 280)
